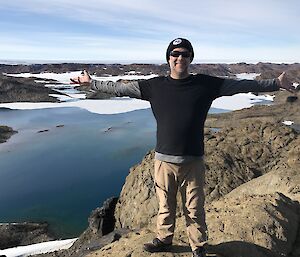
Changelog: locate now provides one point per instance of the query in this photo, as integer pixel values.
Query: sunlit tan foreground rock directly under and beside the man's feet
(260, 226)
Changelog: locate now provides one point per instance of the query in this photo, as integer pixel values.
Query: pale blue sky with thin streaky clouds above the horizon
(139, 31)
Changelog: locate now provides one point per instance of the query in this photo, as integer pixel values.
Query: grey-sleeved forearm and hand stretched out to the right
(231, 86)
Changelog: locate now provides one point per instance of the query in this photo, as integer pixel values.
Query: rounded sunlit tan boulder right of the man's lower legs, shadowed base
(264, 225)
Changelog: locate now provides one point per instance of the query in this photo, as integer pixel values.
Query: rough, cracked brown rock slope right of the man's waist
(237, 155)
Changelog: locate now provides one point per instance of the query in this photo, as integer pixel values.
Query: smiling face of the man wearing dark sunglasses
(180, 59)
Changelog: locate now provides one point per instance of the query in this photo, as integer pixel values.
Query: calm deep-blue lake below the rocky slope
(62, 174)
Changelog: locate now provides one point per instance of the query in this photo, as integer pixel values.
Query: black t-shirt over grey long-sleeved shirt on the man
(180, 107)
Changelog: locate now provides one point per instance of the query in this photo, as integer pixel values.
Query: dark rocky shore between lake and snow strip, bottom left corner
(16, 234)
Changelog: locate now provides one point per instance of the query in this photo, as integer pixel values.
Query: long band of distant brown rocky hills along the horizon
(267, 70)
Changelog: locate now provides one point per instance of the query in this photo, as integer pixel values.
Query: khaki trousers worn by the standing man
(189, 179)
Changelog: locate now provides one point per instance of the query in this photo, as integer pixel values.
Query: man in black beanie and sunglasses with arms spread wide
(180, 103)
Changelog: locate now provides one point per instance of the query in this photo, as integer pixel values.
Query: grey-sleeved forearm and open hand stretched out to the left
(130, 89)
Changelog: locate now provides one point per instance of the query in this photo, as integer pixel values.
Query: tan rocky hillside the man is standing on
(252, 195)
